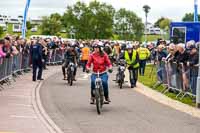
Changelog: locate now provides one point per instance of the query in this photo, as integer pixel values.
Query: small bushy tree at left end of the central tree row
(51, 25)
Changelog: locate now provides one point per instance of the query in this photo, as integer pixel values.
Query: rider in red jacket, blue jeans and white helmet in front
(100, 62)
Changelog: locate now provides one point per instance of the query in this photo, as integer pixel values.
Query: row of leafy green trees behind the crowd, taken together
(95, 20)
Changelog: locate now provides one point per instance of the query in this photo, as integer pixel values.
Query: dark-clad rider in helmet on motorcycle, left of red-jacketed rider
(71, 55)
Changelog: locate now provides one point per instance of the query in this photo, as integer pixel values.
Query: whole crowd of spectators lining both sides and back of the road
(186, 56)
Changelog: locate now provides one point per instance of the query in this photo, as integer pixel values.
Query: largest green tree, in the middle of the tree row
(89, 22)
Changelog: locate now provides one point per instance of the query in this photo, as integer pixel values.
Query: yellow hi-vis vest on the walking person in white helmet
(131, 61)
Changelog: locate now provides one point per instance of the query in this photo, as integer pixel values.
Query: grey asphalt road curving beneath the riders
(129, 111)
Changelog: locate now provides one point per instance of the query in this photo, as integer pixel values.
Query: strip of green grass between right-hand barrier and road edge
(150, 82)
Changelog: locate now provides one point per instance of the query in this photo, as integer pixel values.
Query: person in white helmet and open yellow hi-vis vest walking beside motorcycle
(132, 59)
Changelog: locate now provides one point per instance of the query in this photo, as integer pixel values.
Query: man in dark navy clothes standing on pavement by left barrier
(36, 54)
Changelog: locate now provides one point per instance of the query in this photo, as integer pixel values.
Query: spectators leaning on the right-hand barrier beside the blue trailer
(177, 64)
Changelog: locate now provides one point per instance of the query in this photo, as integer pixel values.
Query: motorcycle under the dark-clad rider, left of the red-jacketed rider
(70, 73)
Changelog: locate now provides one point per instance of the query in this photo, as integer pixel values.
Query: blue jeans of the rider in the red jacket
(104, 78)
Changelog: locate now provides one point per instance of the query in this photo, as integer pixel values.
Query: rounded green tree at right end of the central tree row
(128, 25)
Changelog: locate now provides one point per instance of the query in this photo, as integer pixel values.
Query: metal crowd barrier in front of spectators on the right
(178, 77)
